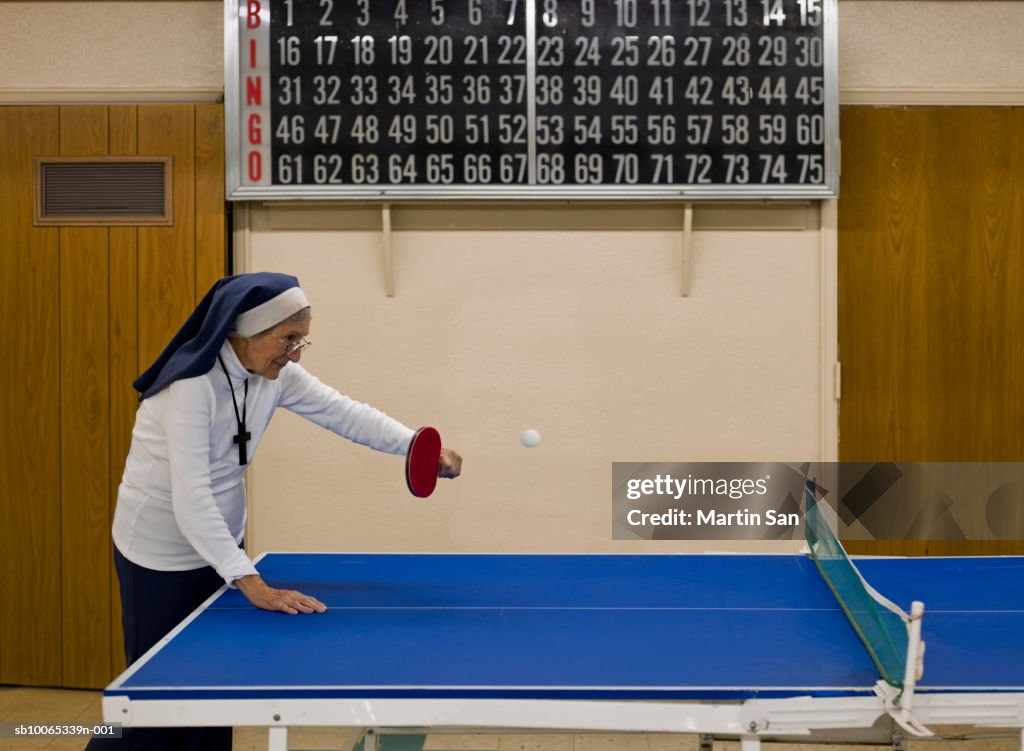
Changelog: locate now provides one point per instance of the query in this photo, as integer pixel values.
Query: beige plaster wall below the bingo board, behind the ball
(579, 333)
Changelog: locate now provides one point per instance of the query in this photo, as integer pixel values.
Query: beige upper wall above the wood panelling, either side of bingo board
(177, 47)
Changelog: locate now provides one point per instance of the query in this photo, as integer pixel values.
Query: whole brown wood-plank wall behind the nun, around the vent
(94, 307)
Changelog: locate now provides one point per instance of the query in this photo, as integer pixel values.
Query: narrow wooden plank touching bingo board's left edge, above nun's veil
(210, 207)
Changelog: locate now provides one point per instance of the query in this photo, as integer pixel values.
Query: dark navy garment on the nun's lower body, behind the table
(152, 604)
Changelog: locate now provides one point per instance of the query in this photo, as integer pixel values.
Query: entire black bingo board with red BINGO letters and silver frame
(533, 99)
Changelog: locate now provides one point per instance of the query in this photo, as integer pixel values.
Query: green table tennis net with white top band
(881, 625)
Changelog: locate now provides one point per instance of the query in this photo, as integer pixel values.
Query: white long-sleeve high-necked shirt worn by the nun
(182, 503)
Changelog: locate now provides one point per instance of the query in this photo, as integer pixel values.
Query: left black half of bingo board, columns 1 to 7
(400, 94)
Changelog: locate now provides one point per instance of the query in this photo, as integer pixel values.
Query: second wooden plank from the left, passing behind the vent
(84, 424)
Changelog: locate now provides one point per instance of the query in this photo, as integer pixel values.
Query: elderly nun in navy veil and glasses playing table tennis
(205, 405)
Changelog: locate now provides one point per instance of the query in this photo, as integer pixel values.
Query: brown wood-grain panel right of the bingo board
(931, 238)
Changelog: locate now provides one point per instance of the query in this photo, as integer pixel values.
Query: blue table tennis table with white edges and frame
(729, 646)
